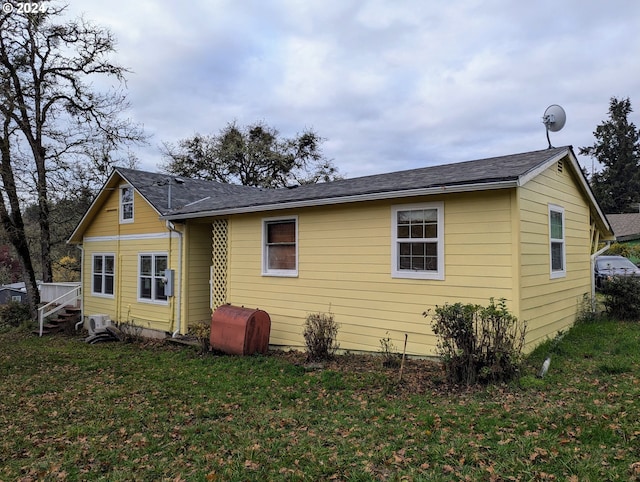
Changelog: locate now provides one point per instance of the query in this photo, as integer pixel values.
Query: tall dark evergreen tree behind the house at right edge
(617, 148)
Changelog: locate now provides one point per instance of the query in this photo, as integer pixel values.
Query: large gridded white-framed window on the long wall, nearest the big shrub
(418, 241)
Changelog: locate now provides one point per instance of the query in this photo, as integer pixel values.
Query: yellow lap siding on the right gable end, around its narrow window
(549, 305)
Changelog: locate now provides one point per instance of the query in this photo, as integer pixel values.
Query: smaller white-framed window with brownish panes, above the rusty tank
(280, 247)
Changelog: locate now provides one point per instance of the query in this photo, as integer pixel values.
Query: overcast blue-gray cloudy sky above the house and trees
(390, 85)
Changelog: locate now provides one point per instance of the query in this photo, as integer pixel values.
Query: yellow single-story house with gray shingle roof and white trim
(375, 251)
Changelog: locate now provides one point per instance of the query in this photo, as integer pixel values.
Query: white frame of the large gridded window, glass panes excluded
(396, 272)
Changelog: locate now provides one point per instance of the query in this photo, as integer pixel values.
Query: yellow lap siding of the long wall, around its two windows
(345, 268)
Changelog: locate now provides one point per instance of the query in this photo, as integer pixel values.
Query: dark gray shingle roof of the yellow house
(215, 198)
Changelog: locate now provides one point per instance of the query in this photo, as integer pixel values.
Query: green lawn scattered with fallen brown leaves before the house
(71, 411)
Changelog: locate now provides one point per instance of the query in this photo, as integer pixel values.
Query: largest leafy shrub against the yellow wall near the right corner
(478, 344)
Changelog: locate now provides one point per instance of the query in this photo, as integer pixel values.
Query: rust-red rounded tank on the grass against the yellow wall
(239, 331)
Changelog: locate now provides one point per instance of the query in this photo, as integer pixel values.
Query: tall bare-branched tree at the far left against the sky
(53, 117)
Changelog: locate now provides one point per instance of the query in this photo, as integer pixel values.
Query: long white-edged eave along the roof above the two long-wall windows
(378, 196)
